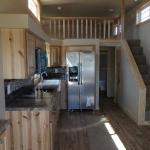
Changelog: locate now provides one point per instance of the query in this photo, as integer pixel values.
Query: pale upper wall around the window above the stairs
(141, 31)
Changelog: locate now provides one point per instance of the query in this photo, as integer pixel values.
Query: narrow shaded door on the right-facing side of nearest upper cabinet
(30, 53)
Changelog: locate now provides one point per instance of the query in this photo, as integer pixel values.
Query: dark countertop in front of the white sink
(36, 101)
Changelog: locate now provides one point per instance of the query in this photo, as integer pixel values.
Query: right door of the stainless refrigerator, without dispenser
(87, 83)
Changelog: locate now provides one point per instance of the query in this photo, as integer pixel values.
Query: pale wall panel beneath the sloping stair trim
(128, 89)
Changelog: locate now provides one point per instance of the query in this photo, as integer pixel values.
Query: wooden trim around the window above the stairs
(139, 11)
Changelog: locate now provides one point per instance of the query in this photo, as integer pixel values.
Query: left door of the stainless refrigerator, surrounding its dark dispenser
(73, 85)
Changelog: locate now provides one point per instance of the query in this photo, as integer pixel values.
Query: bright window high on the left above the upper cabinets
(34, 6)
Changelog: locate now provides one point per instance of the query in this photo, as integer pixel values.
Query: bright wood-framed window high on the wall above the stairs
(143, 14)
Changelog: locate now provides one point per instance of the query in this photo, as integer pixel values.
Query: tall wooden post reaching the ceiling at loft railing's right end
(122, 18)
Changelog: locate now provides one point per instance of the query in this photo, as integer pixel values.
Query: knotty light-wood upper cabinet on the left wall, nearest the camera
(18, 49)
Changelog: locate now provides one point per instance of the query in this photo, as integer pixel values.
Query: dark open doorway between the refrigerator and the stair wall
(107, 74)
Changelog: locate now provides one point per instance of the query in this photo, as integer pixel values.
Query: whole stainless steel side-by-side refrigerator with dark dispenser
(81, 79)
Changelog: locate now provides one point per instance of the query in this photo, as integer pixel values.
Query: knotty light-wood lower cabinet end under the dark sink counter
(29, 130)
